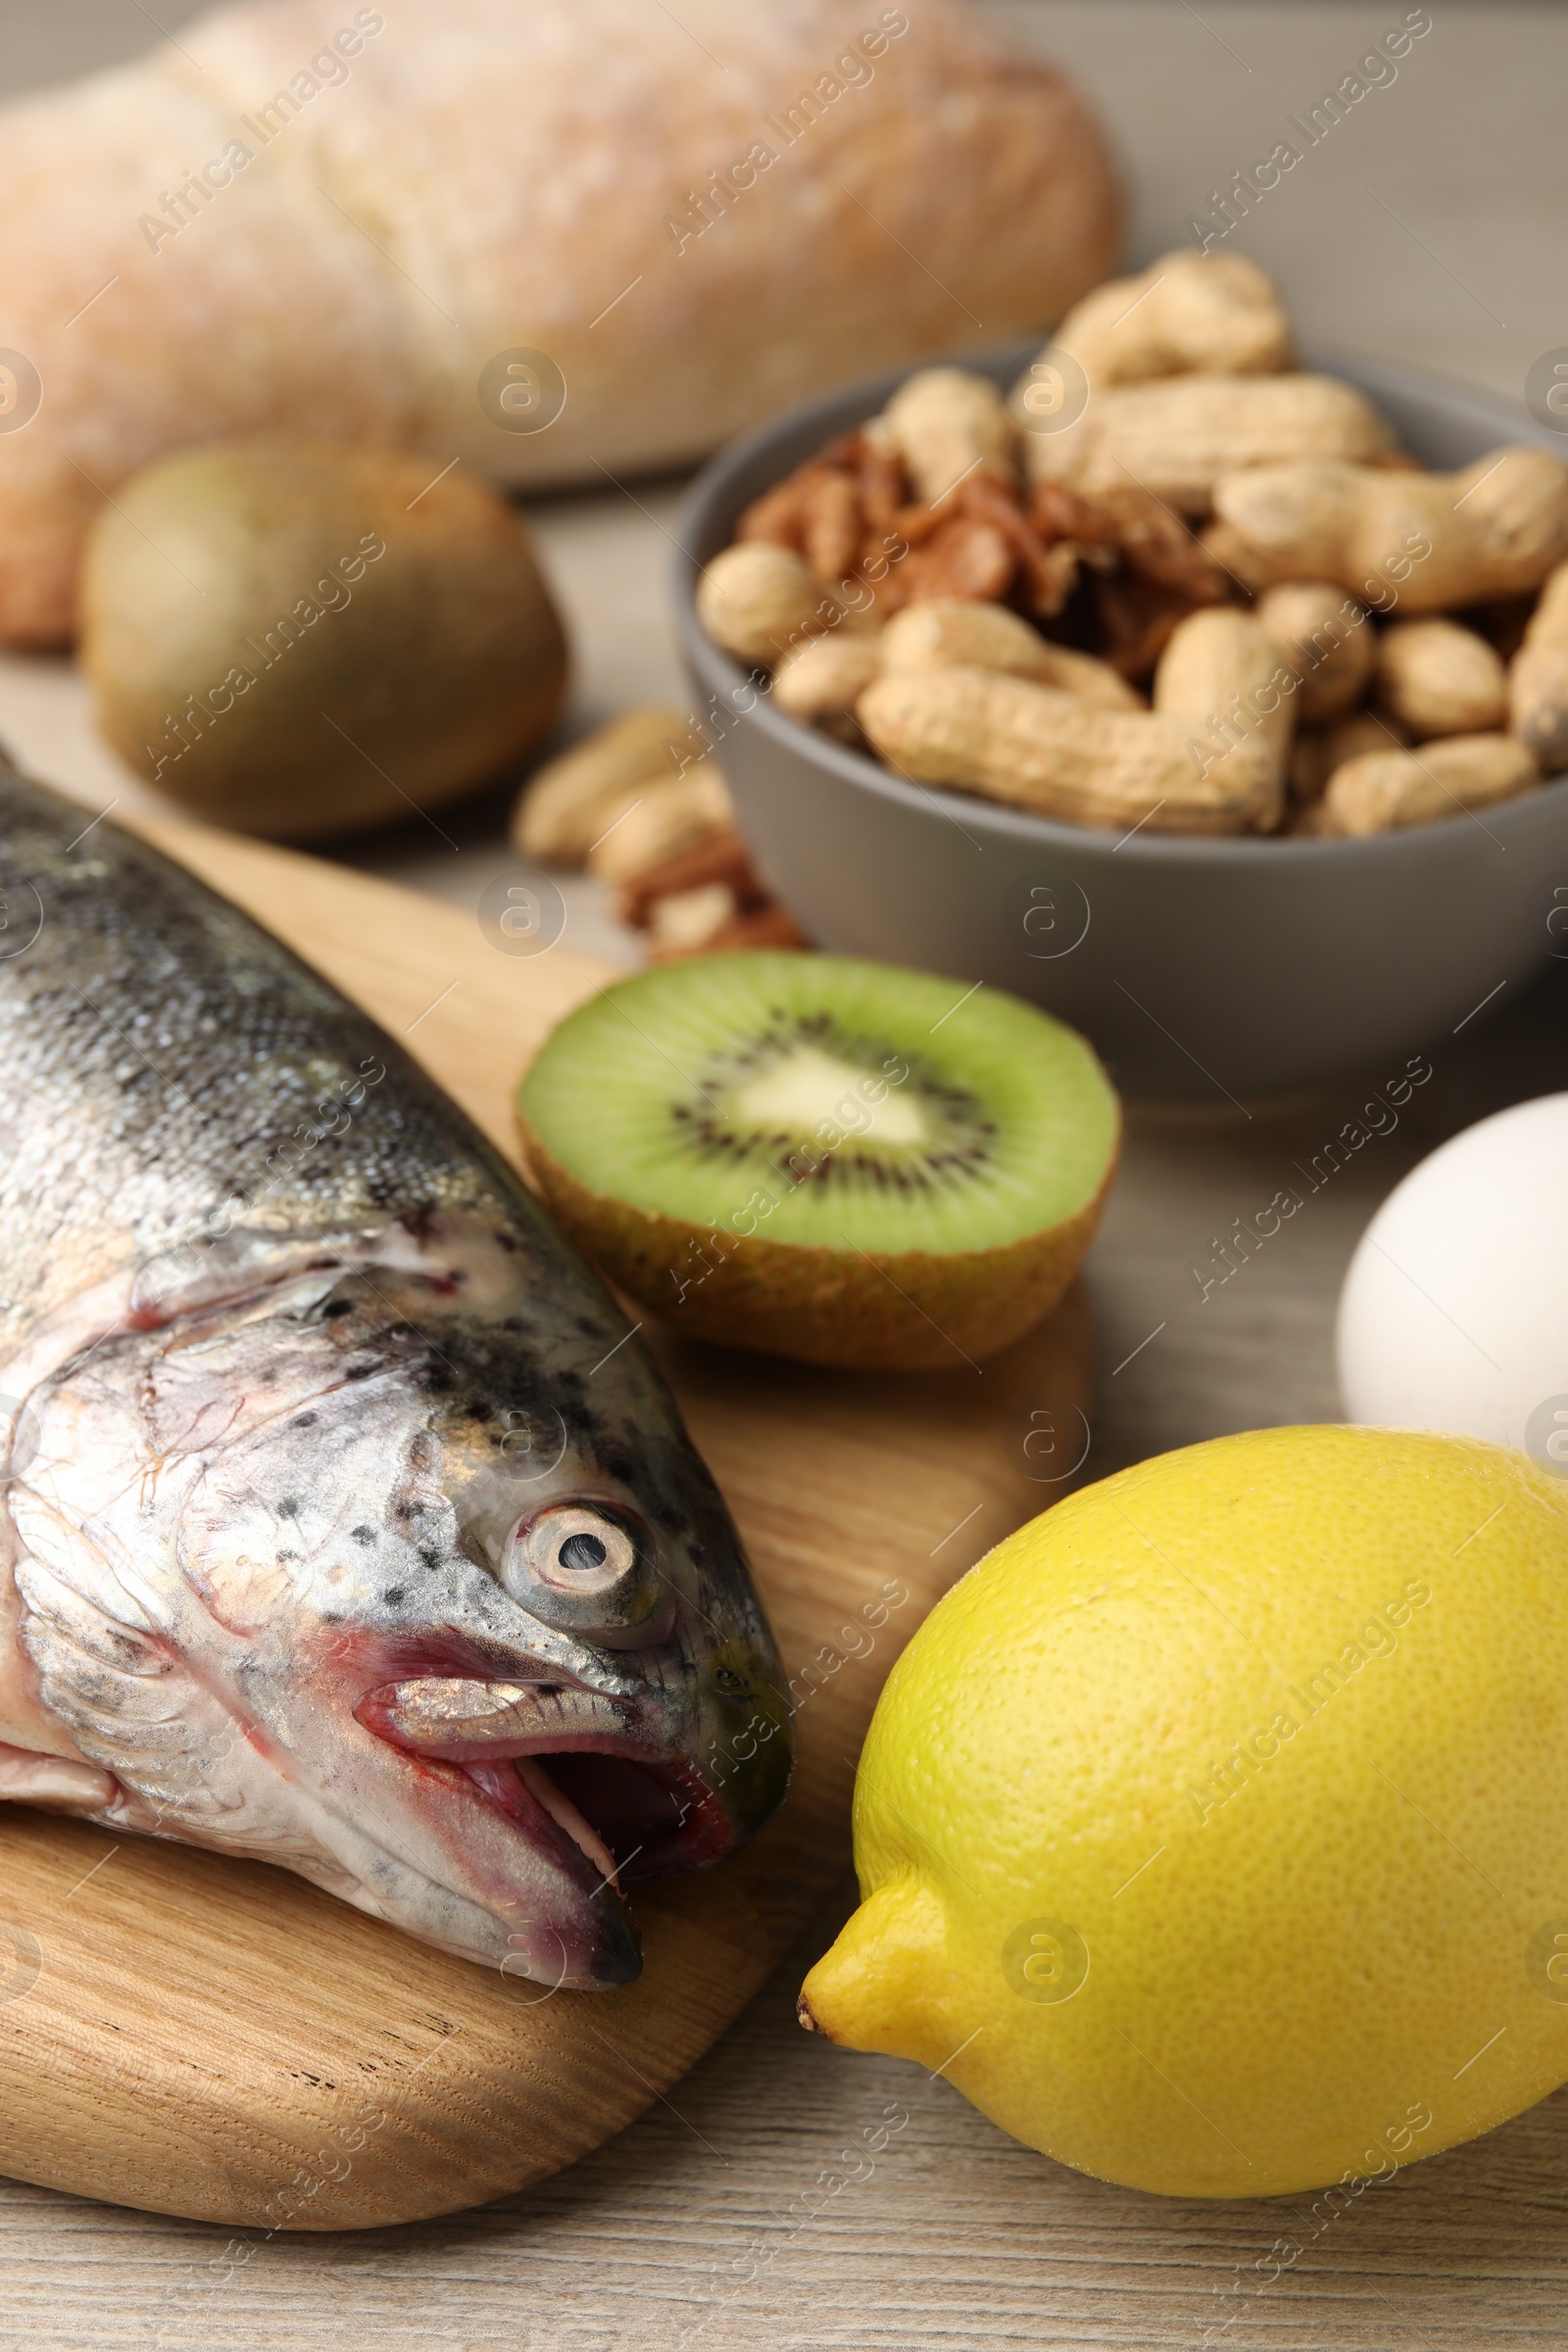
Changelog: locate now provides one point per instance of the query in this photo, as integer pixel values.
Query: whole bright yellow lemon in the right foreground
(1214, 1831)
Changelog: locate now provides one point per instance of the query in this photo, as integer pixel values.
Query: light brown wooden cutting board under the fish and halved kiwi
(220, 2038)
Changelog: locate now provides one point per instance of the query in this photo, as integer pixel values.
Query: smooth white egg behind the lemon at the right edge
(1454, 1311)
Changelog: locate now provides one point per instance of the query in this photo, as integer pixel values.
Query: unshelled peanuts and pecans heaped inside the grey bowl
(1172, 582)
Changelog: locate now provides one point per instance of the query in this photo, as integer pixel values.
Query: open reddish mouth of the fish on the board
(584, 1779)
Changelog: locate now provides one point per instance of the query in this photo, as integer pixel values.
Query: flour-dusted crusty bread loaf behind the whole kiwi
(554, 241)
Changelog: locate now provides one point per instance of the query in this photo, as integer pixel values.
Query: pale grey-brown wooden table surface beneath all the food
(1428, 227)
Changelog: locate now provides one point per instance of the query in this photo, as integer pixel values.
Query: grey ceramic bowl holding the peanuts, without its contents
(1200, 968)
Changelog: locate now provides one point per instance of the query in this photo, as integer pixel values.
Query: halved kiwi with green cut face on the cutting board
(824, 1158)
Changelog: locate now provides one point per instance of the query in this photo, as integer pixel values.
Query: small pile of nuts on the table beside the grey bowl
(643, 806)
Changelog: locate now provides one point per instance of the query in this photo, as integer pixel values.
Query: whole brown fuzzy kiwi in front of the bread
(304, 639)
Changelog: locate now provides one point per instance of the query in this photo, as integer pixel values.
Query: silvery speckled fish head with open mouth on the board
(474, 1605)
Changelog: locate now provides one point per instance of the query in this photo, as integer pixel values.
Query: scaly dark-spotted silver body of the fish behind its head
(163, 1057)
